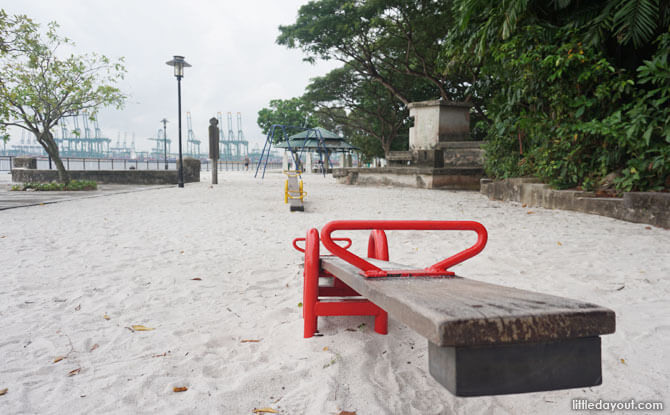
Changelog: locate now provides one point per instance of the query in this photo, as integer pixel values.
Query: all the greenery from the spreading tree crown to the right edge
(568, 91)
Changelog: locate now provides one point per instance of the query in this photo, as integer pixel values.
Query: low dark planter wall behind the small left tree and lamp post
(106, 176)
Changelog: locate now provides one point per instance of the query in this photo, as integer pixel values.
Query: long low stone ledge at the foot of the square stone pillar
(457, 178)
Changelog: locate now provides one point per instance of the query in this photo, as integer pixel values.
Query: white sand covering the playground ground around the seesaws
(132, 257)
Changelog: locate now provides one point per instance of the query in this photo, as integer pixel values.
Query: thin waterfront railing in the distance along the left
(82, 163)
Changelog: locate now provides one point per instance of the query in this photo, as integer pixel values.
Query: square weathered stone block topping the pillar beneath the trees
(437, 122)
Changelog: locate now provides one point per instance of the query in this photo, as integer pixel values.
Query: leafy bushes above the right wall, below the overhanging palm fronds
(569, 117)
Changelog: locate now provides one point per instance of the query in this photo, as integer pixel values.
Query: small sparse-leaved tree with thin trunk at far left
(39, 85)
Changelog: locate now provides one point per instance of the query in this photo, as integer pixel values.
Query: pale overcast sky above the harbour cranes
(237, 66)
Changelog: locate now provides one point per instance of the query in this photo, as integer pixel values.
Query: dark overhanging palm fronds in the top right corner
(625, 29)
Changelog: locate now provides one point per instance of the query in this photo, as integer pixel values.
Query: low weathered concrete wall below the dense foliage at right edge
(639, 207)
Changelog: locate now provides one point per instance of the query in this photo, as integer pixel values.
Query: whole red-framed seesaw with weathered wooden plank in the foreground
(483, 339)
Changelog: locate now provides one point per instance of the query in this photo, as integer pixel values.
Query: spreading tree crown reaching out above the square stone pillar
(381, 39)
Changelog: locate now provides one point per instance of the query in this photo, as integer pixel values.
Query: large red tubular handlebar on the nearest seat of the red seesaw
(437, 269)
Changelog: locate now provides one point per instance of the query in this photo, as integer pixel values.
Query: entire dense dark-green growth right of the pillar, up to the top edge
(577, 91)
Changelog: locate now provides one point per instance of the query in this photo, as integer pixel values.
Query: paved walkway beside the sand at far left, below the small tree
(10, 199)
